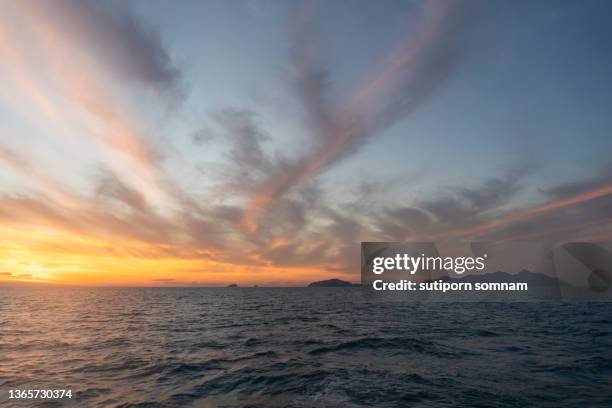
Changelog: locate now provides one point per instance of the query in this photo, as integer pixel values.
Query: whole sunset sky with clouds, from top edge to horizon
(160, 143)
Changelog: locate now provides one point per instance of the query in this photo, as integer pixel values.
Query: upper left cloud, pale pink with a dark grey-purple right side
(92, 55)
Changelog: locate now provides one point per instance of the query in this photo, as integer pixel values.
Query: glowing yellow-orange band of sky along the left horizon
(58, 257)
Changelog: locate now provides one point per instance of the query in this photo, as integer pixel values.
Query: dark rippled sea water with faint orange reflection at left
(302, 347)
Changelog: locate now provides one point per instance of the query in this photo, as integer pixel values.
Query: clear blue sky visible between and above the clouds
(530, 88)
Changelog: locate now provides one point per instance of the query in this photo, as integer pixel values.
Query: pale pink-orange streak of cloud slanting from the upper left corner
(79, 73)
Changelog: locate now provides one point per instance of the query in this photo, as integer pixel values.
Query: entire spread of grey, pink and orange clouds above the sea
(271, 211)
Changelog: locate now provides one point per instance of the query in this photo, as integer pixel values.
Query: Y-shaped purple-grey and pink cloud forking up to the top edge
(408, 79)
